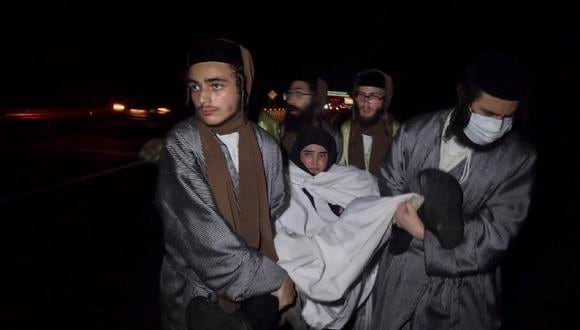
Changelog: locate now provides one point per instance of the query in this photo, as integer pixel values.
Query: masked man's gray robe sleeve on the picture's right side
(489, 232)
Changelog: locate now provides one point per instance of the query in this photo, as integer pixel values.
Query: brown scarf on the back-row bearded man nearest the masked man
(382, 140)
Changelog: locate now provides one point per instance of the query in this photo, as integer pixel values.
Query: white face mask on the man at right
(484, 130)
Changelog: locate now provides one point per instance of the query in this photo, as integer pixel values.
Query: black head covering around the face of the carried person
(313, 135)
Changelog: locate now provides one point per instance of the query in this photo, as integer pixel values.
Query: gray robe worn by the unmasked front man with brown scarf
(203, 256)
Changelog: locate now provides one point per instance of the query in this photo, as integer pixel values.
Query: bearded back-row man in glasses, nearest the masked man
(368, 136)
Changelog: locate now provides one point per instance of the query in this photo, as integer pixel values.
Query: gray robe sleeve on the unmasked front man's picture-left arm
(196, 236)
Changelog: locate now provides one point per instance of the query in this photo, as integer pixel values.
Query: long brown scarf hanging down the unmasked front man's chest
(252, 220)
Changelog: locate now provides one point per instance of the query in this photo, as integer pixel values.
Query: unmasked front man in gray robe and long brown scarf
(220, 186)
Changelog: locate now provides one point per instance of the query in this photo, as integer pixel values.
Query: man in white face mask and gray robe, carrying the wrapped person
(480, 144)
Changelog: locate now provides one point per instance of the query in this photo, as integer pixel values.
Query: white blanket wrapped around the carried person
(326, 255)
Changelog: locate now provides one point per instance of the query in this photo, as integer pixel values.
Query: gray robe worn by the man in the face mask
(428, 287)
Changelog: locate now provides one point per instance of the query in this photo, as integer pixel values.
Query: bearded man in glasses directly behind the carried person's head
(305, 98)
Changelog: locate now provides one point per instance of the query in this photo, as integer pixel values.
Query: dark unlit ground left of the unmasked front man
(84, 254)
